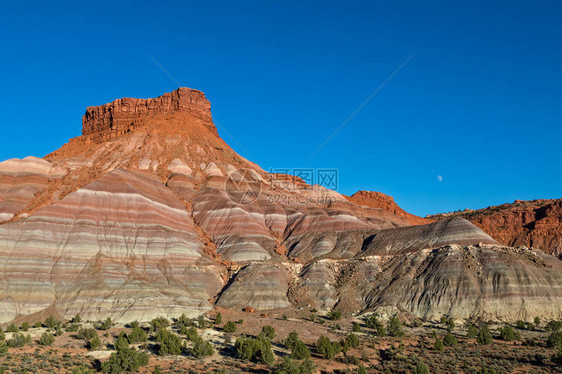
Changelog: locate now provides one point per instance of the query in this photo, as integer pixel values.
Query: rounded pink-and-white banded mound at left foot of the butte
(122, 246)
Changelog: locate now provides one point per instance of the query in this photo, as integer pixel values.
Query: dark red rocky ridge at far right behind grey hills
(536, 223)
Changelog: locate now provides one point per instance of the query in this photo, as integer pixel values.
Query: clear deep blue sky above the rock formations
(479, 103)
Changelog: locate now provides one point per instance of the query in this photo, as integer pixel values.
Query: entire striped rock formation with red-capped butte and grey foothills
(151, 213)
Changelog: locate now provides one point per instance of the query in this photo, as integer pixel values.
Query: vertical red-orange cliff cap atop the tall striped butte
(123, 115)
